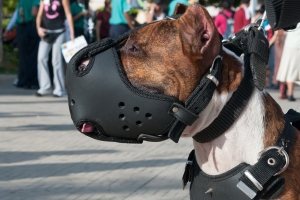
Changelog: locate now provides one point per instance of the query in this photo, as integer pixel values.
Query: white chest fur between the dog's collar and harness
(241, 143)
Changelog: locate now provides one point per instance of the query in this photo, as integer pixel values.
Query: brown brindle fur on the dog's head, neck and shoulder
(174, 62)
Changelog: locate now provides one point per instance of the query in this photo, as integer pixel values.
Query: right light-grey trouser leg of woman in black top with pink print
(58, 67)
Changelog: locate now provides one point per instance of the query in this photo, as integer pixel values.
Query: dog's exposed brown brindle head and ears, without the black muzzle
(171, 56)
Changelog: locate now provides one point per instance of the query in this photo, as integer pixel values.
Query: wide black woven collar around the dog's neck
(254, 45)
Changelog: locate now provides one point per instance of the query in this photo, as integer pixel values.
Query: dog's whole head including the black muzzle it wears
(163, 61)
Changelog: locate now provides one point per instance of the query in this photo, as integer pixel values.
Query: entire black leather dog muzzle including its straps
(102, 95)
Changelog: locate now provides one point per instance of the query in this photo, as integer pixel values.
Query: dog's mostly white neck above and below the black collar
(240, 143)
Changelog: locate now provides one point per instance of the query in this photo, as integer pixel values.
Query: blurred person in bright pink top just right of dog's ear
(224, 20)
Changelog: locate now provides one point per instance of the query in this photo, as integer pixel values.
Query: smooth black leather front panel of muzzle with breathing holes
(105, 106)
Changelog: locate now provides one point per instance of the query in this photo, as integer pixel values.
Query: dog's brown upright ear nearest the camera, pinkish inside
(199, 35)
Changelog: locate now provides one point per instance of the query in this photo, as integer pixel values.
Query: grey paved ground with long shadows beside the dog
(43, 157)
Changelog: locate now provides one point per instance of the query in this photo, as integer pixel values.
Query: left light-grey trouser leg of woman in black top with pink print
(43, 70)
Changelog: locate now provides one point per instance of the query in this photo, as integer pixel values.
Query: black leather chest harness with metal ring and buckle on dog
(244, 182)
